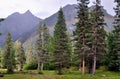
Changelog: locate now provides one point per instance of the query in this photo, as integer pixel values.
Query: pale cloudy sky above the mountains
(43, 8)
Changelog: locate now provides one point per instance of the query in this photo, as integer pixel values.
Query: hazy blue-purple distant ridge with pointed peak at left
(17, 24)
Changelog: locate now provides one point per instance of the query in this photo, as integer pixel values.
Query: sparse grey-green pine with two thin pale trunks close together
(41, 45)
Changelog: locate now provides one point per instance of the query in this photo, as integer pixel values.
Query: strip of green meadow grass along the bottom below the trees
(72, 75)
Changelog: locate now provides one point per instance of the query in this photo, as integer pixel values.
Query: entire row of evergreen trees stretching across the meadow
(88, 46)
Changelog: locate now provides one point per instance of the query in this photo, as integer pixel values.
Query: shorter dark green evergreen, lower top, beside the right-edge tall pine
(111, 57)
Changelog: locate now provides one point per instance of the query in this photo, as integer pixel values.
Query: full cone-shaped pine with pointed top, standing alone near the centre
(61, 53)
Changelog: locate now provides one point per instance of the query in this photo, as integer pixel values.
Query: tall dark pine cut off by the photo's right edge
(116, 32)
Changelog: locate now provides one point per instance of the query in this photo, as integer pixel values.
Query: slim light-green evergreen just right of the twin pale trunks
(47, 47)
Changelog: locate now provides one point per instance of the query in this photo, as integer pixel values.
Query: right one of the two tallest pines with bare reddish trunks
(99, 35)
